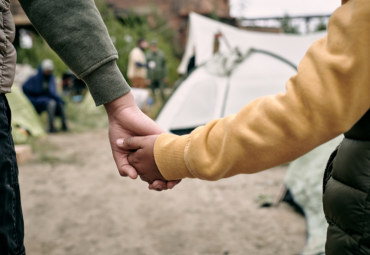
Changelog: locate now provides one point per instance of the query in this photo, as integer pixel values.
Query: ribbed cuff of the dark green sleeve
(106, 83)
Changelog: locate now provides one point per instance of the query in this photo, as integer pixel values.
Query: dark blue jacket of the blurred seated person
(33, 88)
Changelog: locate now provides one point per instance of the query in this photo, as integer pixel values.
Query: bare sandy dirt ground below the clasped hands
(75, 203)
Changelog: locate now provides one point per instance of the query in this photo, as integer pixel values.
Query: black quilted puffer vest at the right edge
(347, 193)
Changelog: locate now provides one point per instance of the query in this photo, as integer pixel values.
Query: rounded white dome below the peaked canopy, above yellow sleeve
(209, 93)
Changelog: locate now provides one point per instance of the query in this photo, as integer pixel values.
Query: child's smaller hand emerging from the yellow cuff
(142, 157)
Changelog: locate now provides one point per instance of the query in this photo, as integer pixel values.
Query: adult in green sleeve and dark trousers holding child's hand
(76, 32)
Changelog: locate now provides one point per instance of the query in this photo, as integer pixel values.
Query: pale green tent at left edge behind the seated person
(23, 115)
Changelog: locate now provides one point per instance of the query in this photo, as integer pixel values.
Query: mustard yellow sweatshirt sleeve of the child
(329, 94)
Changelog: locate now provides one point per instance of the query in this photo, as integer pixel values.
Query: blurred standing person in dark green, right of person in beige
(157, 71)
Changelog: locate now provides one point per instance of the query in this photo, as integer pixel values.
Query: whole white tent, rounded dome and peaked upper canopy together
(248, 65)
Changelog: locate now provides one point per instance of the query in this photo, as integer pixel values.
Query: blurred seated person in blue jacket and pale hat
(41, 91)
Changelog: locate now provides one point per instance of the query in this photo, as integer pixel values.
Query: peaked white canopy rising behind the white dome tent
(201, 33)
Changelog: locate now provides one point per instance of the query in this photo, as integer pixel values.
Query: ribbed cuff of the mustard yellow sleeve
(169, 156)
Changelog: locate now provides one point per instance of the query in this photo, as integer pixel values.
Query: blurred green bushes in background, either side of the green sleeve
(124, 33)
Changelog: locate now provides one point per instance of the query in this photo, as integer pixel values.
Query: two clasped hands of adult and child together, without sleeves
(134, 155)
